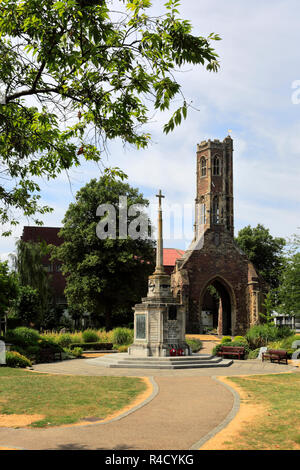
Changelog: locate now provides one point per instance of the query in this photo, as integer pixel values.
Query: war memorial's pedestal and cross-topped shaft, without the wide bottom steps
(159, 321)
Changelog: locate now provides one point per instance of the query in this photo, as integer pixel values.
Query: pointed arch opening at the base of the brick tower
(219, 305)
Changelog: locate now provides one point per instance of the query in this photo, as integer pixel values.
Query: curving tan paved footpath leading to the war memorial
(189, 405)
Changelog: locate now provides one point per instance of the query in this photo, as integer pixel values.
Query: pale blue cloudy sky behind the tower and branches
(256, 95)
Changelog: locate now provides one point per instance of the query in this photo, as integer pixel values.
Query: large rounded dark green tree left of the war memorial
(109, 275)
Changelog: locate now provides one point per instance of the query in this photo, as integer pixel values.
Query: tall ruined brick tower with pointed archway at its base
(213, 258)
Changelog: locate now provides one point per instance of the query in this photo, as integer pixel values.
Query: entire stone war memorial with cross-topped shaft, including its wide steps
(160, 327)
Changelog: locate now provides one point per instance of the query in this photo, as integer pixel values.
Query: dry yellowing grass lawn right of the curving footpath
(279, 426)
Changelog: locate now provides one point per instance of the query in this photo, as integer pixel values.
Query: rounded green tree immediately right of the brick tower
(264, 251)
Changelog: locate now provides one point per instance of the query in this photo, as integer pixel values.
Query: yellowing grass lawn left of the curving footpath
(64, 399)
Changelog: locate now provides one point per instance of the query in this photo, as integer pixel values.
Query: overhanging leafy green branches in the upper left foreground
(76, 73)
